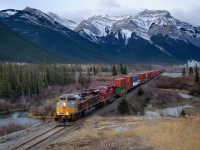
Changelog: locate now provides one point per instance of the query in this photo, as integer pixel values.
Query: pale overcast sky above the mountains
(77, 10)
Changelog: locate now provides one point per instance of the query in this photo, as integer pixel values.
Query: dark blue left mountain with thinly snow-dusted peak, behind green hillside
(44, 31)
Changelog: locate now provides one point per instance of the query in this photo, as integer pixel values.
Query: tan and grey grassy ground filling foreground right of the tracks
(128, 132)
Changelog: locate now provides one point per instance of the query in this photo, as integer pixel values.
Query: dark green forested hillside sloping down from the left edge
(14, 48)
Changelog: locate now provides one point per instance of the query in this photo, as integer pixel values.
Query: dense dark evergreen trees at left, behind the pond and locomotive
(26, 80)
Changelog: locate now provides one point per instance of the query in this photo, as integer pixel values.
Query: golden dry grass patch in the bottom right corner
(180, 135)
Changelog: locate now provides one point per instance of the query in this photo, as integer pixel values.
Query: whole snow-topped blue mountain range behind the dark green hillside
(151, 36)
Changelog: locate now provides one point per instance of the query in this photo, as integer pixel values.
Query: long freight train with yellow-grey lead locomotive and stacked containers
(71, 107)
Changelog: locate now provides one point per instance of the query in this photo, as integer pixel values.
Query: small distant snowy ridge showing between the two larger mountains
(64, 22)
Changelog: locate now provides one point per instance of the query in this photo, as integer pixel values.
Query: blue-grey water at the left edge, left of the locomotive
(17, 117)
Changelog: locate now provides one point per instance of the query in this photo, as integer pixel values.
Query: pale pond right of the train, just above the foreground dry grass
(170, 111)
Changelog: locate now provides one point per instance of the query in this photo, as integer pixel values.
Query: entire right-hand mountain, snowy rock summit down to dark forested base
(153, 33)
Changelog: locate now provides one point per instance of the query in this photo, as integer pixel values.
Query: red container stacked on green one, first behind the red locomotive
(120, 85)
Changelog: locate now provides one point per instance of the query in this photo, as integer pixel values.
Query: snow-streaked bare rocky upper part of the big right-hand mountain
(144, 24)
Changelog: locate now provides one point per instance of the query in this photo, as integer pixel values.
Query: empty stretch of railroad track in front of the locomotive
(38, 139)
